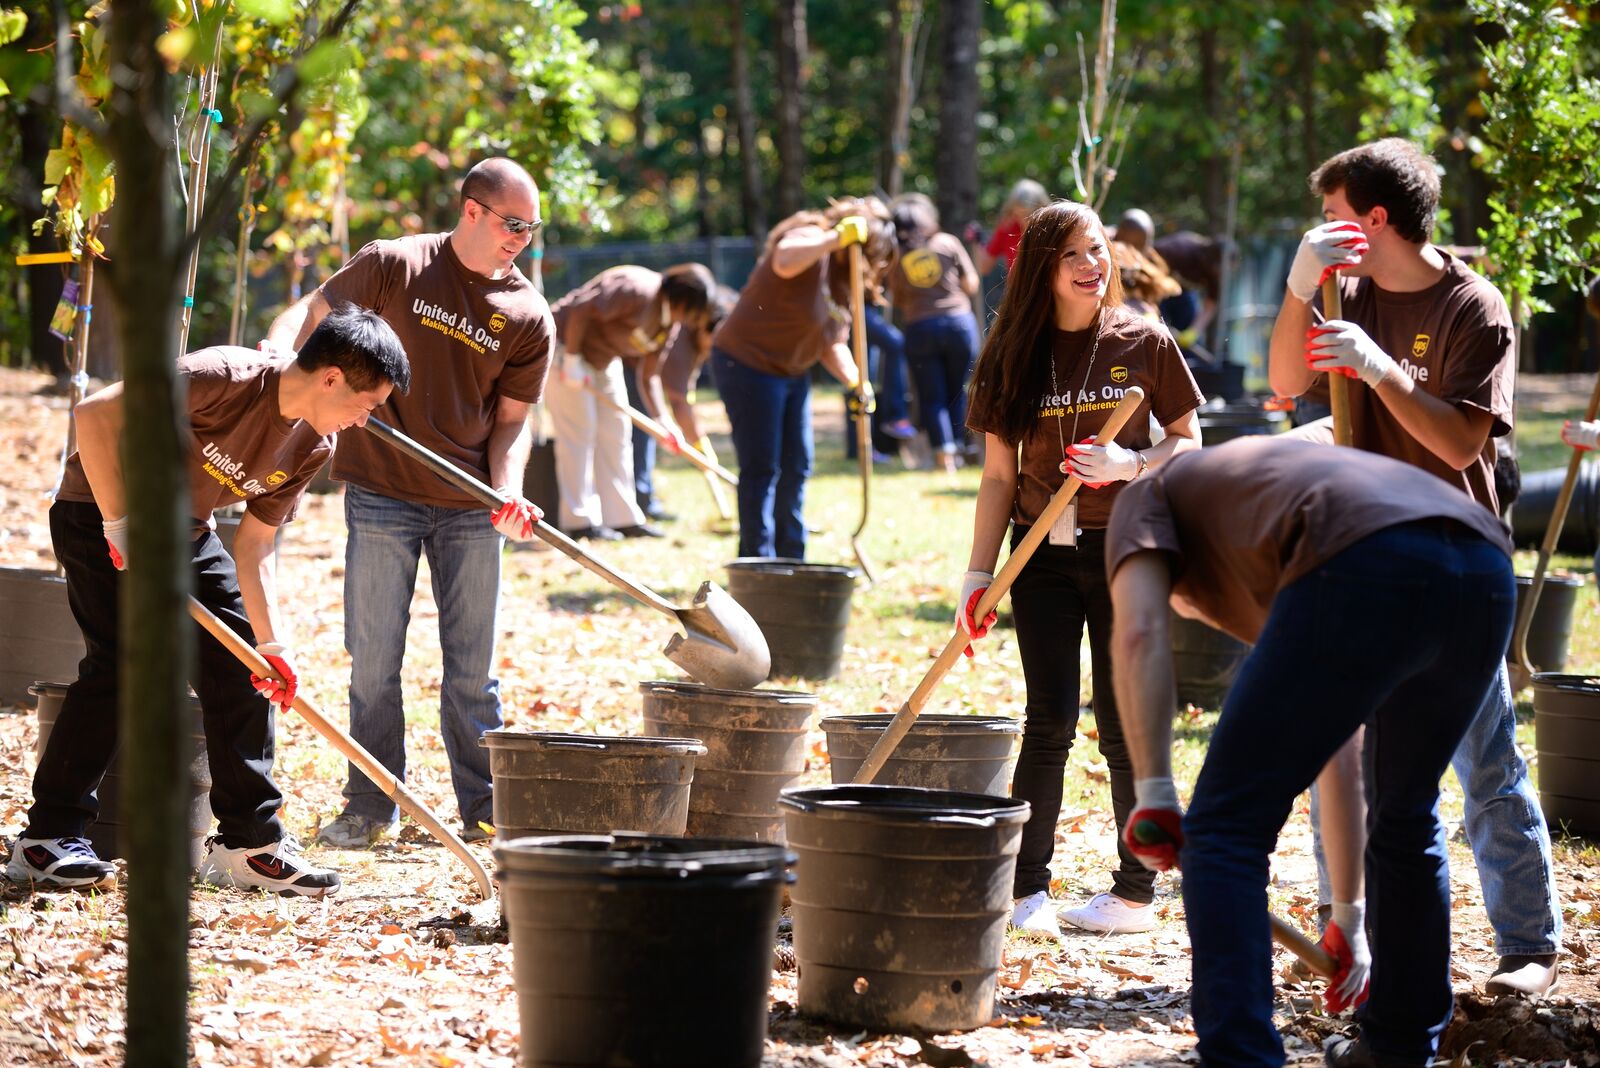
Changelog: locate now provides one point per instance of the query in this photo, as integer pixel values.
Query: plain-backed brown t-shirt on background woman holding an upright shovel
(782, 325)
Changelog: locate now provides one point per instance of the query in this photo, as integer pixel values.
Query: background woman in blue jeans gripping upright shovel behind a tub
(793, 314)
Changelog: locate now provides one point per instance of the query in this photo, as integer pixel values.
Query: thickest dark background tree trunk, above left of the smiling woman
(958, 153)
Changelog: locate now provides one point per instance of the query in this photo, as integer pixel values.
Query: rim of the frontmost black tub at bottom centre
(623, 856)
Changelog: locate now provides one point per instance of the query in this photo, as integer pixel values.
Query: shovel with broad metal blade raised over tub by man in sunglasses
(722, 647)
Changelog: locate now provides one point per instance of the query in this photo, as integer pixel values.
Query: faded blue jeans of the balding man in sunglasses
(463, 548)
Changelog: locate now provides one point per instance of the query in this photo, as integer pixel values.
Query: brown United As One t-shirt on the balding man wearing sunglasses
(471, 341)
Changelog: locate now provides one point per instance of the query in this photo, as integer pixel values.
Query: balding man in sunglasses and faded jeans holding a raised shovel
(479, 337)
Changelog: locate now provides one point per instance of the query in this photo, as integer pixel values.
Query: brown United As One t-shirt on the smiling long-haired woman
(1132, 353)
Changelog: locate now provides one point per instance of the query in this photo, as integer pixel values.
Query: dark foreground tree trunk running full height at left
(156, 632)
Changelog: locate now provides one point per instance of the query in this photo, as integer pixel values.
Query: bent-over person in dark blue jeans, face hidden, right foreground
(1375, 596)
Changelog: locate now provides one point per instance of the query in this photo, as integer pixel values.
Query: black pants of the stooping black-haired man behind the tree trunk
(239, 723)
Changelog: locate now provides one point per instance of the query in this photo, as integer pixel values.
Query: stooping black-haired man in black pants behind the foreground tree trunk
(260, 428)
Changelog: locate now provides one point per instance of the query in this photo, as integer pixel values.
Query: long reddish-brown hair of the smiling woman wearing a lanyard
(1014, 369)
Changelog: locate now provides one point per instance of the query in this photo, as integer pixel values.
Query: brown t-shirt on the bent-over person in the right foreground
(1244, 520)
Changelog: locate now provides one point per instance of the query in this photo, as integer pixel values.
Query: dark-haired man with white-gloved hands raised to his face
(1431, 351)
